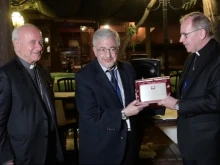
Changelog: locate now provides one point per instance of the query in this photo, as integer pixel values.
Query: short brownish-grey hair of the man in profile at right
(199, 21)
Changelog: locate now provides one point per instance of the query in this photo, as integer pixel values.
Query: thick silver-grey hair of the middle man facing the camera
(104, 34)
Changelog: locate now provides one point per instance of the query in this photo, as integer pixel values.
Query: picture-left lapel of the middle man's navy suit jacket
(104, 82)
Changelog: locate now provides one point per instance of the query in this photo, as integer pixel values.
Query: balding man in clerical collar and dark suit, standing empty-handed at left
(28, 128)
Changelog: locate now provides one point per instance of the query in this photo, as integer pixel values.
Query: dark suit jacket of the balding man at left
(24, 118)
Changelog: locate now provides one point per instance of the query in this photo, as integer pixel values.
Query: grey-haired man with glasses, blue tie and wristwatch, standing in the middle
(105, 98)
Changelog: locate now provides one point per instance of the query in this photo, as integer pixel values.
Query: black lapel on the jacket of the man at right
(200, 63)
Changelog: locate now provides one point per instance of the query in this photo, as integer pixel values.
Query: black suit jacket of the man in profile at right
(198, 124)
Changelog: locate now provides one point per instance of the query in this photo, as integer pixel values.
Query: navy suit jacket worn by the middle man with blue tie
(103, 133)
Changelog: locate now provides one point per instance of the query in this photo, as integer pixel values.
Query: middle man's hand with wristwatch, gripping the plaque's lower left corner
(135, 107)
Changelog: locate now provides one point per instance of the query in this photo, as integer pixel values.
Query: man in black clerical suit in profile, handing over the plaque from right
(198, 104)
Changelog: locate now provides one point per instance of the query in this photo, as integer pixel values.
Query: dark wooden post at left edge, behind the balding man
(5, 32)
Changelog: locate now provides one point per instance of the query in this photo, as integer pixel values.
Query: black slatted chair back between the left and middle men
(66, 84)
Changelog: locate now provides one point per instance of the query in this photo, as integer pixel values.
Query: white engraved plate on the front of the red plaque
(153, 92)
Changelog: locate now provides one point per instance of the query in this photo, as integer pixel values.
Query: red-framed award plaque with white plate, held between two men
(153, 89)
